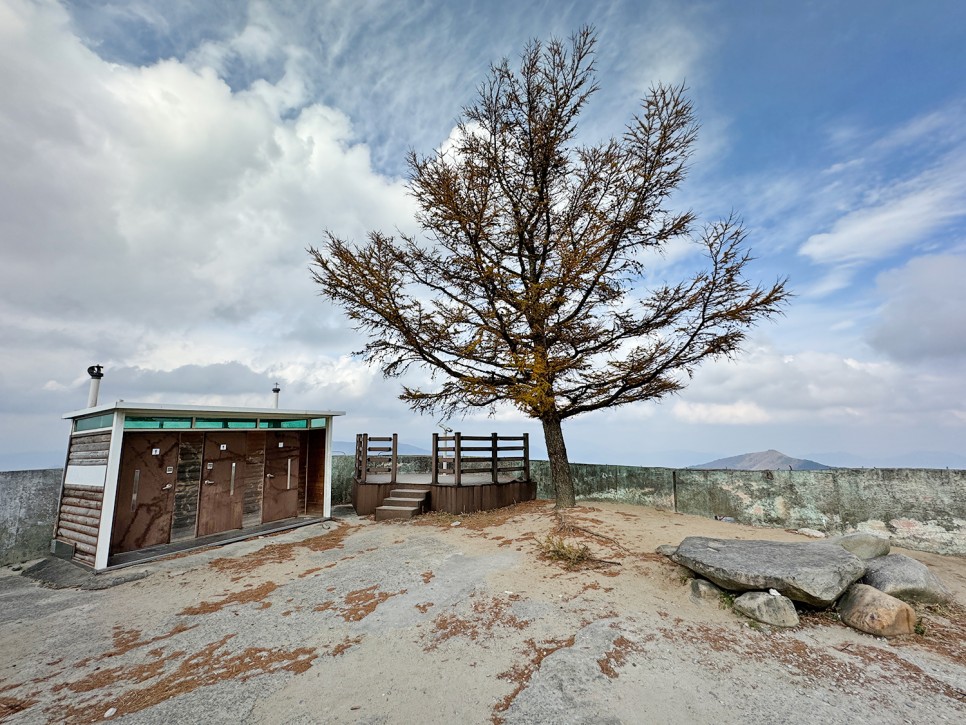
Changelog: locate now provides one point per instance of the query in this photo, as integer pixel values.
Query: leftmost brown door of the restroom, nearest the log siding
(145, 491)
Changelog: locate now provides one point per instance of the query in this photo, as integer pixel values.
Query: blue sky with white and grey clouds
(165, 166)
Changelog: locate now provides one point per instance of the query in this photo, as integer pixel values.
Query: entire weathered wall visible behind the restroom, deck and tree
(922, 509)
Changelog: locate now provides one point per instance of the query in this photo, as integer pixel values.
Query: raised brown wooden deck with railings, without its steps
(467, 473)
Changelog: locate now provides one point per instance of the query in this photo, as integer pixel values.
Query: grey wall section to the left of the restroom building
(28, 507)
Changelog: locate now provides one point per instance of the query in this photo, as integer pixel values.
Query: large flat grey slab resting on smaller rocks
(815, 573)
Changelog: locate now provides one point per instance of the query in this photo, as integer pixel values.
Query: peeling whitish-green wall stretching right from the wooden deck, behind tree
(923, 509)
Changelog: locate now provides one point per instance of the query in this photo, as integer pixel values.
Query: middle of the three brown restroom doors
(222, 483)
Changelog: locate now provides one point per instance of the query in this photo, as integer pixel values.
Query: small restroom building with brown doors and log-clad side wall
(145, 477)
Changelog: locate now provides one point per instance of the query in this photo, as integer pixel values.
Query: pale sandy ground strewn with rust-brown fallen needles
(358, 622)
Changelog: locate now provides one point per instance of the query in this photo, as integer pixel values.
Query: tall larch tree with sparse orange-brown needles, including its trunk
(529, 286)
